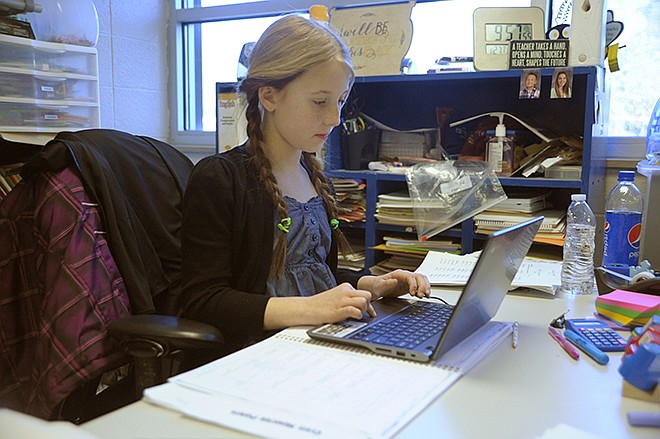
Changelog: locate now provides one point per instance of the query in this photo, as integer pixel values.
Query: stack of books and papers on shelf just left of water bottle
(521, 207)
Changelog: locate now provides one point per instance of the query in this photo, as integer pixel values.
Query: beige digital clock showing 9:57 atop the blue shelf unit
(494, 28)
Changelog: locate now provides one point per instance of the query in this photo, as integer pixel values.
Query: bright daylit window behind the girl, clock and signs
(208, 36)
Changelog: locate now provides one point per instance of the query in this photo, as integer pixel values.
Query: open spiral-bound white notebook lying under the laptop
(289, 386)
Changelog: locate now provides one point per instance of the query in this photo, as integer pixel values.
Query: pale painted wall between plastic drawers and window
(133, 68)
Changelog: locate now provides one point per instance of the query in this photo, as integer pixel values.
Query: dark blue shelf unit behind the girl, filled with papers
(409, 102)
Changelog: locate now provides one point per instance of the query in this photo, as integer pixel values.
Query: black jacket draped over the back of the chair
(139, 183)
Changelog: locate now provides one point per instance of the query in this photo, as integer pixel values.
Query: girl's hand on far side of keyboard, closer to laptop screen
(395, 284)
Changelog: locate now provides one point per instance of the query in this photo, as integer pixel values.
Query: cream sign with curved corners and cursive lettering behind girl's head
(378, 36)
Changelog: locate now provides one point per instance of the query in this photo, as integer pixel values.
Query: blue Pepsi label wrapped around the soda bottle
(621, 239)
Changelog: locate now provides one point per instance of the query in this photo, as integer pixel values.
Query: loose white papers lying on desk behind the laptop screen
(446, 269)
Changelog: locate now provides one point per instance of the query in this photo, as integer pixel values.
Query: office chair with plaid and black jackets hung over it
(89, 275)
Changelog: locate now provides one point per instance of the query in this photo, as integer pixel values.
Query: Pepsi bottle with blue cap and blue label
(623, 225)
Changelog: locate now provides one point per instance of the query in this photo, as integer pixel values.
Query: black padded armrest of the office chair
(171, 333)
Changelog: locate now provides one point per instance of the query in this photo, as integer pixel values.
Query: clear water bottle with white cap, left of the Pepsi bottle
(577, 270)
